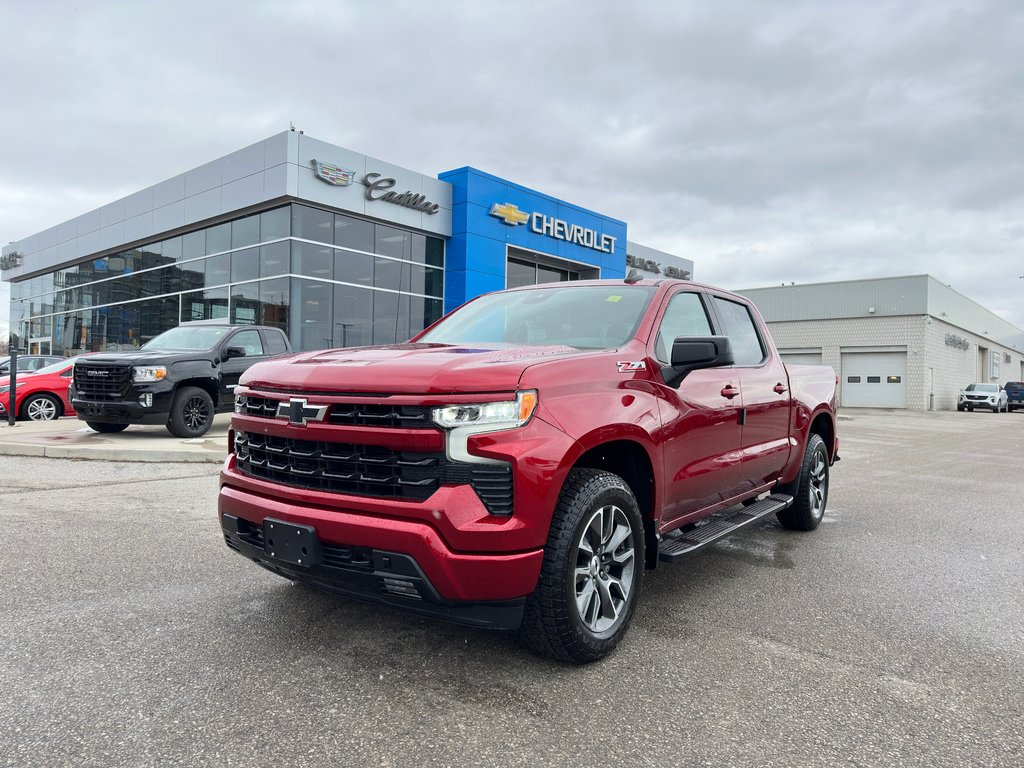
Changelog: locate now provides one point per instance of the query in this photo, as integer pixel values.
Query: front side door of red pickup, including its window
(701, 433)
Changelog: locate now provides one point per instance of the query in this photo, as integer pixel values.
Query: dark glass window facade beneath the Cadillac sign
(329, 280)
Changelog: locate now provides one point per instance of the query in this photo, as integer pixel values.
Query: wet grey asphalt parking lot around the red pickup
(893, 635)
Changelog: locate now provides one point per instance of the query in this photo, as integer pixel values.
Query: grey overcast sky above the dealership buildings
(769, 143)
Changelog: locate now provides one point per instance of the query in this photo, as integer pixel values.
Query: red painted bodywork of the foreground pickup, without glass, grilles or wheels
(723, 435)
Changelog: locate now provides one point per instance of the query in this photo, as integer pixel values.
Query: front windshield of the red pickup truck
(583, 317)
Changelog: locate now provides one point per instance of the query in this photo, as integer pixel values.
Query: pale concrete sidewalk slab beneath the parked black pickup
(71, 439)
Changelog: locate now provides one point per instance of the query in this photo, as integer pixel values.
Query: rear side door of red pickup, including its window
(766, 399)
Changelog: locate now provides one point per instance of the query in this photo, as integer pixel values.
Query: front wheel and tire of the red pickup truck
(592, 571)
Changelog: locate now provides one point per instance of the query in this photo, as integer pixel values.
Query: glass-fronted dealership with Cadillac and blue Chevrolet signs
(336, 248)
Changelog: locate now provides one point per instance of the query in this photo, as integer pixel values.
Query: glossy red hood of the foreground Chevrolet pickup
(410, 369)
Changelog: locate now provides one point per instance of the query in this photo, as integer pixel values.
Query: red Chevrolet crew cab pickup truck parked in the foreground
(521, 463)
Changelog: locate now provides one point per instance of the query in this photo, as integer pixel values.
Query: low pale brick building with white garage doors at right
(910, 343)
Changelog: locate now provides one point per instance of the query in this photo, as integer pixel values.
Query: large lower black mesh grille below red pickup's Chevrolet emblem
(368, 471)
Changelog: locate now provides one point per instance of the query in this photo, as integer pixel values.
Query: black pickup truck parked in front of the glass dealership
(181, 378)
